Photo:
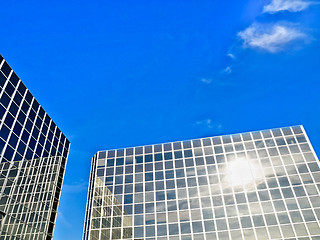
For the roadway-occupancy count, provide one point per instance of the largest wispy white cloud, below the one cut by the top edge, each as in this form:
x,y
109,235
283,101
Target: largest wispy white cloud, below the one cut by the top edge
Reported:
x,y
272,38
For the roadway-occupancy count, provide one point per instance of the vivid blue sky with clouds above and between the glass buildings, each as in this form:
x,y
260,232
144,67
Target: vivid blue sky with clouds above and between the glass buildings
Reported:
x,y
115,74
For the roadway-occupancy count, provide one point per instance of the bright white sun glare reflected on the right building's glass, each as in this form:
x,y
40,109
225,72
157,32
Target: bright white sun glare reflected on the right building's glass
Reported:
x,y
242,172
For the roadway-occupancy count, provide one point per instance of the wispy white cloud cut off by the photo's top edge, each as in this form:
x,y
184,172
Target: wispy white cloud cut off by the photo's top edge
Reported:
x,y
286,5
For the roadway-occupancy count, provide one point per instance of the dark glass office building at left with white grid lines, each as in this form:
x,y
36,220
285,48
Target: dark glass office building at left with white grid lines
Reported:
x,y
33,154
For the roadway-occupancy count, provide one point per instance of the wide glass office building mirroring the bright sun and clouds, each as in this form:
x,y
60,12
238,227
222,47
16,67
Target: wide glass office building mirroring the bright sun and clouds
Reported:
x,y
256,185
